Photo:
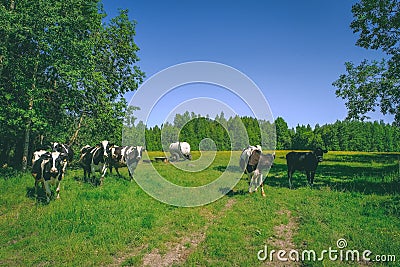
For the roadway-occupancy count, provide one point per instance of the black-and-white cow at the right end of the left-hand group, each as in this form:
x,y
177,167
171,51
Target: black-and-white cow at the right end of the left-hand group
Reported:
x,y
125,155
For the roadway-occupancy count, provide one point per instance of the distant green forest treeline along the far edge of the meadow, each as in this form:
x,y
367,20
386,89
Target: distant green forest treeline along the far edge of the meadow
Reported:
x,y
237,132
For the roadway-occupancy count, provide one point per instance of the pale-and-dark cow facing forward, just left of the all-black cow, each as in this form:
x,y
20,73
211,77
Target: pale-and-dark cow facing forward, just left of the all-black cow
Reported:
x,y
252,162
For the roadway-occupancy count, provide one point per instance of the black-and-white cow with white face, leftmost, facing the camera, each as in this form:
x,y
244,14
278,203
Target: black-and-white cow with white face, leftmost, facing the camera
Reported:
x,y
47,169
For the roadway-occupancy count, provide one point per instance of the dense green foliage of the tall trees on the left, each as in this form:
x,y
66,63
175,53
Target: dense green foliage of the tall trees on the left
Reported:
x,y
63,69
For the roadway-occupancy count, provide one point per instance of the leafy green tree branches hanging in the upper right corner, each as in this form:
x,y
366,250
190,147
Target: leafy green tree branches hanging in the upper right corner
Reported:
x,y
376,83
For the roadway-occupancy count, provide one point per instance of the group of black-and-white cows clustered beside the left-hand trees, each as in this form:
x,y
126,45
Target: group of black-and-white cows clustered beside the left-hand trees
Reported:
x,y
48,167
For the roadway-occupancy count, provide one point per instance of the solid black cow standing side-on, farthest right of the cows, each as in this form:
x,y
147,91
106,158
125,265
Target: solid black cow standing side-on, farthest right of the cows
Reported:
x,y
304,161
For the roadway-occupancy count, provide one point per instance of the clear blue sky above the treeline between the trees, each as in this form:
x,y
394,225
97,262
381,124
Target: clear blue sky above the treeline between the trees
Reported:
x,y
292,50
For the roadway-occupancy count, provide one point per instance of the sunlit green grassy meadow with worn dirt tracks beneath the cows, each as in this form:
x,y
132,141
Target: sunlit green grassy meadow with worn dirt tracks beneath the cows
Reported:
x,y
356,197
